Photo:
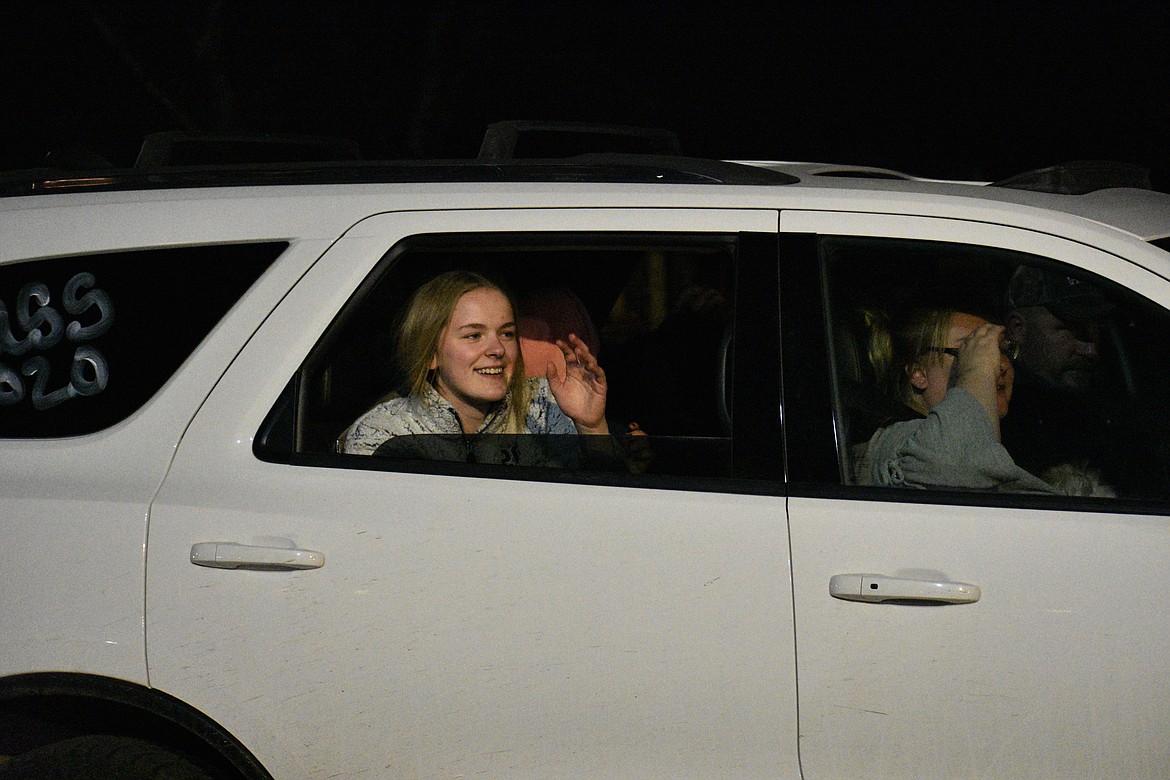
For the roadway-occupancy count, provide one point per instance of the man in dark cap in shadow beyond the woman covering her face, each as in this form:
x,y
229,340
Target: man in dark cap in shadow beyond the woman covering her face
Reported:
x,y
1061,412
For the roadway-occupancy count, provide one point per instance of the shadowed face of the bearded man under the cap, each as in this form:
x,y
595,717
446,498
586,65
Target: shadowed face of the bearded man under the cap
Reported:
x,y
1062,353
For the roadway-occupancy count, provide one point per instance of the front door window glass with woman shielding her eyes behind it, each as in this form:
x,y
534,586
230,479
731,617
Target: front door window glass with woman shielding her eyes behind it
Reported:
x,y
974,369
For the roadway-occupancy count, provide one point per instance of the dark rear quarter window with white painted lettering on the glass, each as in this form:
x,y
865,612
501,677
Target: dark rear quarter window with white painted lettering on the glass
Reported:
x,y
87,341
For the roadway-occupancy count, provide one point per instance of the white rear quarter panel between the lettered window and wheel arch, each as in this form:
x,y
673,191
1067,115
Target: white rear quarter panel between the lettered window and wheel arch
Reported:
x,y
74,560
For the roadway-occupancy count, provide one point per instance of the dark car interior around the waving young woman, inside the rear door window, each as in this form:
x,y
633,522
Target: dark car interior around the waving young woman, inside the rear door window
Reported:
x,y
659,308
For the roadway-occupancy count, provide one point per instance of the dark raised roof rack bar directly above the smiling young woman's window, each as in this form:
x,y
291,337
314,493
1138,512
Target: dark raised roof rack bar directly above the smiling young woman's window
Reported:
x,y
528,140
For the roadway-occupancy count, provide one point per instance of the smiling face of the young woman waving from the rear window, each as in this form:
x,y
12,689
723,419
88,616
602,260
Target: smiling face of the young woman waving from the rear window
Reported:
x,y
477,354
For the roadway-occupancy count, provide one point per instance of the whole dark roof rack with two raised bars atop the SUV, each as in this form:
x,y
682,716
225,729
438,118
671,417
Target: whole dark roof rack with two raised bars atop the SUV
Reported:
x,y
182,160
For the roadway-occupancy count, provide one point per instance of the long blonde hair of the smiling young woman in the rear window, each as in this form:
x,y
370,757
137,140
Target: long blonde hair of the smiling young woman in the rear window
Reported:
x,y
426,320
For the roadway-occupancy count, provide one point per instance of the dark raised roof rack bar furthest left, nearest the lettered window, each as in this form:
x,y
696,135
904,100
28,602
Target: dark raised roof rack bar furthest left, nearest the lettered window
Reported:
x,y
174,149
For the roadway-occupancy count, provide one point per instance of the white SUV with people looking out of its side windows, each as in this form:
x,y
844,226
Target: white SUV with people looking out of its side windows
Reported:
x,y
198,583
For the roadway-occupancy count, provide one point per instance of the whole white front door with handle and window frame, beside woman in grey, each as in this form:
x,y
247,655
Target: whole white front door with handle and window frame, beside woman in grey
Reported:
x,y
1023,636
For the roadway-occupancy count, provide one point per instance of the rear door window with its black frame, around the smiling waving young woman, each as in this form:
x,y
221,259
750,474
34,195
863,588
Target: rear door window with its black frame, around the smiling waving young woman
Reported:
x,y
659,313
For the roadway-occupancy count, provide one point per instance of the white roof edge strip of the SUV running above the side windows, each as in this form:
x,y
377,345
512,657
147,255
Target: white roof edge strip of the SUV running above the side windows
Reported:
x,y
47,225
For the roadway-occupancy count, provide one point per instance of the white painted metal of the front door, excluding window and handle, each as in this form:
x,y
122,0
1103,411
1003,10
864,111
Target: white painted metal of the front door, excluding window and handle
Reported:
x,y
987,689
